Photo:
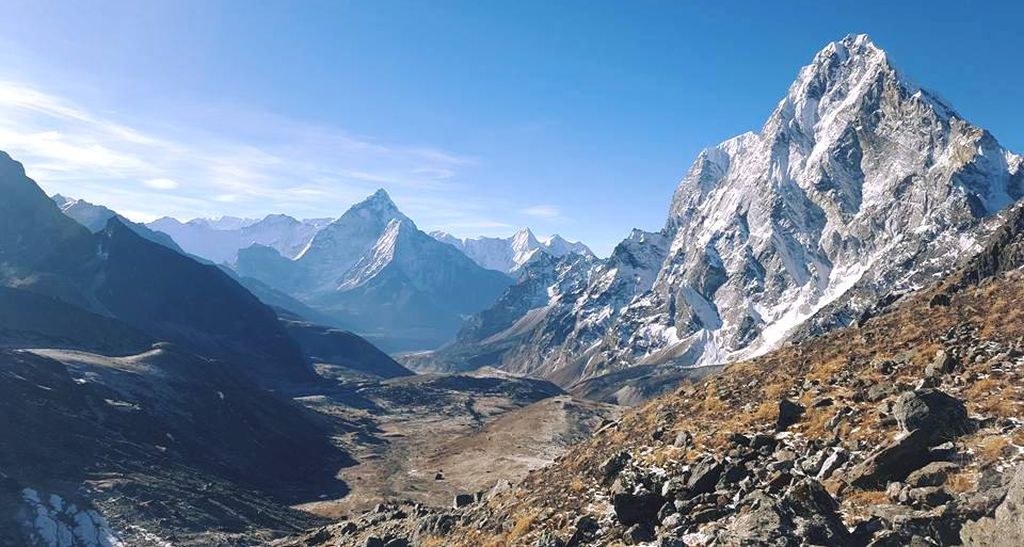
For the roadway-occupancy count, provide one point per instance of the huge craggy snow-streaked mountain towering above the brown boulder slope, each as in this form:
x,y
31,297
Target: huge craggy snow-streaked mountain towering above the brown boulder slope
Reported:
x,y
860,184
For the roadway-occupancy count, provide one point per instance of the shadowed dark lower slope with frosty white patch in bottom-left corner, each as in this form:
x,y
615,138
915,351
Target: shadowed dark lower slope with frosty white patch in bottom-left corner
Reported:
x,y
153,448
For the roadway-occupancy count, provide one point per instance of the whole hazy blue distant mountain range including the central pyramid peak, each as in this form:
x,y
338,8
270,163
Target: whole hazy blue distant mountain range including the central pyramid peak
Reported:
x,y
372,271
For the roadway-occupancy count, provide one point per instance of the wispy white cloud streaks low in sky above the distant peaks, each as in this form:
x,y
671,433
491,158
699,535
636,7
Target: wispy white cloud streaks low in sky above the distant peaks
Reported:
x,y
295,169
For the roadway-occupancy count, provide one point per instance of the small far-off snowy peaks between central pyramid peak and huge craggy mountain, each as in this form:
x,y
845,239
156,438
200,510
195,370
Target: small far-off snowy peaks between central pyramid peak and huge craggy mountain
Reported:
x,y
510,255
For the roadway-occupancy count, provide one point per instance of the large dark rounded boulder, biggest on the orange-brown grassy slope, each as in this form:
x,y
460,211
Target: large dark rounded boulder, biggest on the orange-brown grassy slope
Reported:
x,y
938,415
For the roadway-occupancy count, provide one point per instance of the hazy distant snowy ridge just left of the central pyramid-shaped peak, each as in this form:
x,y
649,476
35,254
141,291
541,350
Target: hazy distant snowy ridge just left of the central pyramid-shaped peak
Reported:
x,y
220,240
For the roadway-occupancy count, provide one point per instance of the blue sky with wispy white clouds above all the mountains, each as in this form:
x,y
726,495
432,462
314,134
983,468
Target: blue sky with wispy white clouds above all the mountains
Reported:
x,y
480,117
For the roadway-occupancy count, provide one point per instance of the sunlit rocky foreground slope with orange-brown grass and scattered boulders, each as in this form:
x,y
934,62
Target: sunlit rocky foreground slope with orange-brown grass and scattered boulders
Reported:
x,y
905,429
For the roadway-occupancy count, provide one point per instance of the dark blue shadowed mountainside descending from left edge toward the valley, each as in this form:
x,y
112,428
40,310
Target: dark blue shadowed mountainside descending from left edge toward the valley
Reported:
x,y
117,274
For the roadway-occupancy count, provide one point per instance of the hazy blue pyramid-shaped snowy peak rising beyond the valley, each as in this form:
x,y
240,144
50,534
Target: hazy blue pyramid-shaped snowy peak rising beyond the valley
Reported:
x,y
373,272
